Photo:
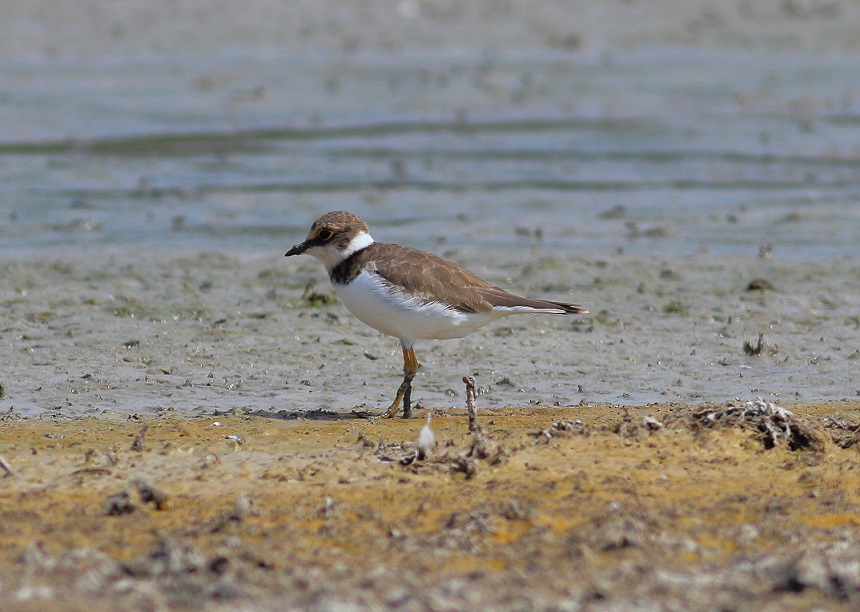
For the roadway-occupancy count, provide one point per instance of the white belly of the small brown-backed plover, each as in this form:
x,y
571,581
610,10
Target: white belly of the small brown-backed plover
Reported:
x,y
396,314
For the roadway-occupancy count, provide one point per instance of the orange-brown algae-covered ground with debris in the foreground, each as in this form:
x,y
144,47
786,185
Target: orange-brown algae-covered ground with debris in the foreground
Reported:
x,y
591,507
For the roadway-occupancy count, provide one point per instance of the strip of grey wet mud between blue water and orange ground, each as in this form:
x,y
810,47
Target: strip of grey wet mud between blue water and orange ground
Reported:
x,y
118,334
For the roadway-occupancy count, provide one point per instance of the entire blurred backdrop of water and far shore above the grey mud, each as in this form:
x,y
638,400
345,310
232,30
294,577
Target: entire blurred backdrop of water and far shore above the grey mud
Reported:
x,y
670,126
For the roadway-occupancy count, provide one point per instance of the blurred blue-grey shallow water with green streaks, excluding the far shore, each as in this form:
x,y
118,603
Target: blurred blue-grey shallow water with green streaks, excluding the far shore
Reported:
x,y
721,150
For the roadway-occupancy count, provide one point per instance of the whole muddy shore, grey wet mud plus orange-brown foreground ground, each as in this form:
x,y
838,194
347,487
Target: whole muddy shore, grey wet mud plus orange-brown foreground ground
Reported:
x,y
181,431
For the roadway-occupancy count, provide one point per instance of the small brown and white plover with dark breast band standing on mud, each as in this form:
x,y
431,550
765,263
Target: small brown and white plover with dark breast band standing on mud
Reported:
x,y
407,293
